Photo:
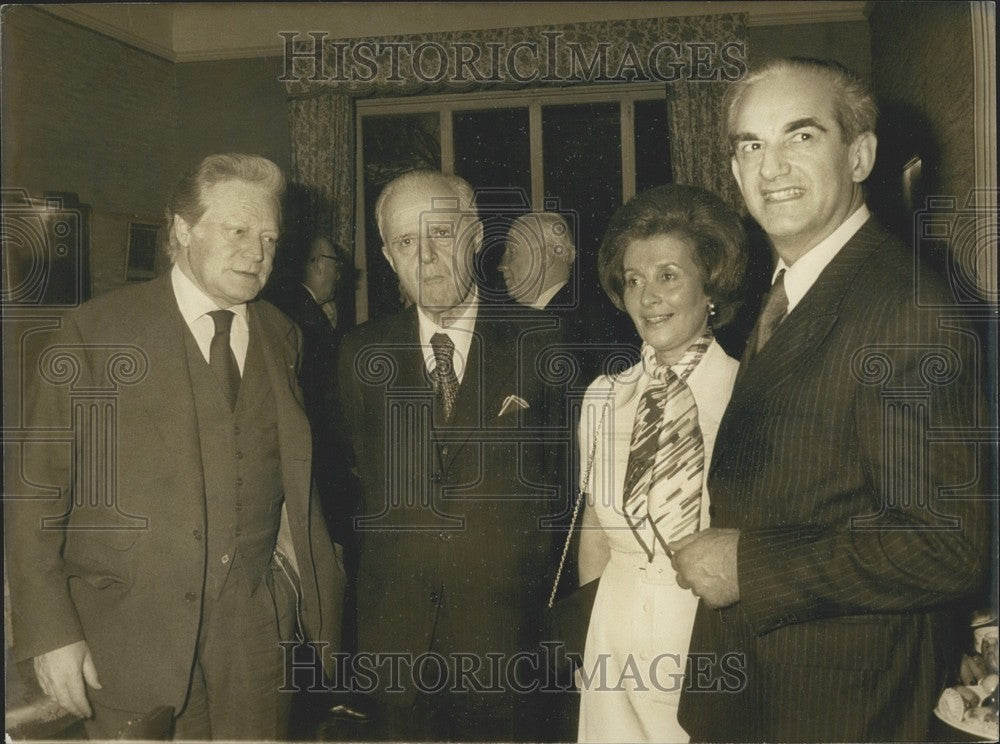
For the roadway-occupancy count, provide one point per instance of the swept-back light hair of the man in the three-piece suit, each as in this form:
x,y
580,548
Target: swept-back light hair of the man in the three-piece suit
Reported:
x,y
187,200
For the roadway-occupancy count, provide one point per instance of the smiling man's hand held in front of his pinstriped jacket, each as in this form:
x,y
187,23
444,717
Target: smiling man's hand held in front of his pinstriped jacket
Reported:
x,y
706,564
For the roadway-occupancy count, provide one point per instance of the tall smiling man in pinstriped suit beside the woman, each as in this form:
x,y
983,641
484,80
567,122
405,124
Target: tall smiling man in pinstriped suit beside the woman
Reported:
x,y
847,507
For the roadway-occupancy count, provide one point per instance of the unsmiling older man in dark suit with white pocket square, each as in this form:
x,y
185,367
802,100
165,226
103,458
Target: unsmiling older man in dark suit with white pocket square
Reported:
x,y
446,412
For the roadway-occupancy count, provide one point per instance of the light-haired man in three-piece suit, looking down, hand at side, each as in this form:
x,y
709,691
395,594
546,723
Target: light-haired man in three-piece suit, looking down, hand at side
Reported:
x,y
181,543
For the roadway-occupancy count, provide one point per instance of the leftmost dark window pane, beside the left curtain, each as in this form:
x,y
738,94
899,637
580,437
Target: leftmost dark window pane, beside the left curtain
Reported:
x,y
390,146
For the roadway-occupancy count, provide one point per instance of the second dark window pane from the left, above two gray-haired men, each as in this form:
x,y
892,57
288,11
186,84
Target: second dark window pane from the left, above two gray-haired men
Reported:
x,y
493,153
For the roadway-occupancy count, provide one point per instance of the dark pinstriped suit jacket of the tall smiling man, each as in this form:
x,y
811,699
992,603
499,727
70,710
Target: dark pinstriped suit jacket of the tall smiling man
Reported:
x,y
845,459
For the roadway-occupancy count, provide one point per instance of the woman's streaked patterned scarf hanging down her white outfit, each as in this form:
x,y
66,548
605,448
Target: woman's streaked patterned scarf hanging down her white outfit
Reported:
x,y
663,479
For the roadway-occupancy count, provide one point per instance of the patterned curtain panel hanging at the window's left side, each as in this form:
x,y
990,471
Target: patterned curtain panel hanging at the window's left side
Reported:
x,y
322,132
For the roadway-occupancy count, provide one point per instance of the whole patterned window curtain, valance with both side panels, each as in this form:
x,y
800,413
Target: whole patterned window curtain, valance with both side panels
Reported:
x,y
687,53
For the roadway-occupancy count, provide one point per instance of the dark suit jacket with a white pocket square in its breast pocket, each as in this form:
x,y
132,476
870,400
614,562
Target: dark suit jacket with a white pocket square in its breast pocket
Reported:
x,y
456,553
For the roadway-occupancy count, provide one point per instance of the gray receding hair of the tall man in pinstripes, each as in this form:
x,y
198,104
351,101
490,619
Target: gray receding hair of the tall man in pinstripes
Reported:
x,y
853,102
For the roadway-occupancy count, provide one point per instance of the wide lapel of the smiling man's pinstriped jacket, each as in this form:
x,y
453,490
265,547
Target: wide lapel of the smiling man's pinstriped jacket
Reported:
x,y
796,339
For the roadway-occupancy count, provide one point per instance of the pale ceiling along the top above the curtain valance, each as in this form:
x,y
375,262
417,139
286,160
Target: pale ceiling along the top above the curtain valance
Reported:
x,y
188,32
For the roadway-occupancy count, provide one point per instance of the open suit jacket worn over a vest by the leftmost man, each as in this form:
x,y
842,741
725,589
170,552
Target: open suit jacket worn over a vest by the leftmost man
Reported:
x,y
127,573
